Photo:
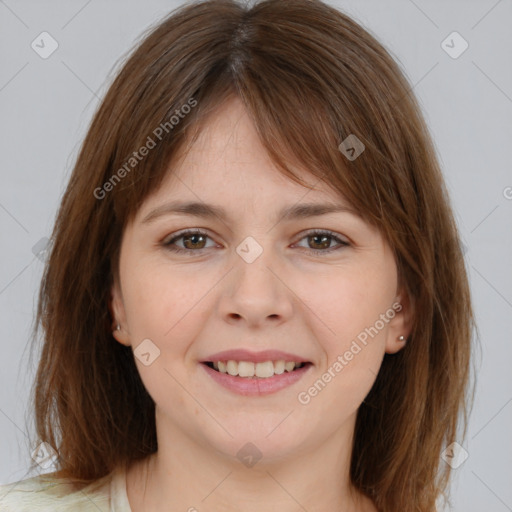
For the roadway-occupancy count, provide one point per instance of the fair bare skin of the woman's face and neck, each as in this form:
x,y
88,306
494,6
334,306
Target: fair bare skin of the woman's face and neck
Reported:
x,y
192,305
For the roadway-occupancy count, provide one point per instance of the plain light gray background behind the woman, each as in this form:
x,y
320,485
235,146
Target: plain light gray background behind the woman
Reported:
x,y
46,105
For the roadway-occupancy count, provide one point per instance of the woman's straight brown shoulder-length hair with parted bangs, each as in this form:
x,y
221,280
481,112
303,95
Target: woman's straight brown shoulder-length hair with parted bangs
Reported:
x,y
309,76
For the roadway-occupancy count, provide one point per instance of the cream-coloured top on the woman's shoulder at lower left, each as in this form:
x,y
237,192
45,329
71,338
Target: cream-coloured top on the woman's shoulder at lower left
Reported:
x,y
44,493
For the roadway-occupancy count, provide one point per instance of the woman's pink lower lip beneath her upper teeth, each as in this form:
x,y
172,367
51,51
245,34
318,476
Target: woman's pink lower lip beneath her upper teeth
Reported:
x,y
247,386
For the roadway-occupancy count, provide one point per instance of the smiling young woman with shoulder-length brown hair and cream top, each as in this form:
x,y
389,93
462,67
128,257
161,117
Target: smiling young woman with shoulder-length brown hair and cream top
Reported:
x,y
255,296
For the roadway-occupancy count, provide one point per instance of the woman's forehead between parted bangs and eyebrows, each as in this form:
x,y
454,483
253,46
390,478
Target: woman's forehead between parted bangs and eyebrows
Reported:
x,y
227,162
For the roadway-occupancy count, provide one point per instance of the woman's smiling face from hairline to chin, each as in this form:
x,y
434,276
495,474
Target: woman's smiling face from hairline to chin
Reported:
x,y
316,289
